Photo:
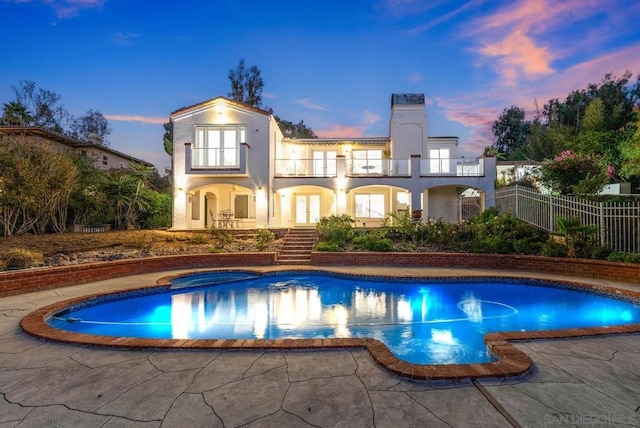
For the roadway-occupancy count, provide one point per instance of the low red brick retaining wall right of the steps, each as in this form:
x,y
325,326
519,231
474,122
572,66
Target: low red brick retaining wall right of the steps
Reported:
x,y
626,272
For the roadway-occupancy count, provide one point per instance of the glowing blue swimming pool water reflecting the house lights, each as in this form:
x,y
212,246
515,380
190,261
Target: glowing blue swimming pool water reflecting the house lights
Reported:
x,y
434,321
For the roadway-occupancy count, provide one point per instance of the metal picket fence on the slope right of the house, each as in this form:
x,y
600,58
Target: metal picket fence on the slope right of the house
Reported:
x,y
618,223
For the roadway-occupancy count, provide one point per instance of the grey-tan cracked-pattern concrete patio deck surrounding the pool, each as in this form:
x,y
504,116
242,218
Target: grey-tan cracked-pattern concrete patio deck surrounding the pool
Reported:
x,y
574,382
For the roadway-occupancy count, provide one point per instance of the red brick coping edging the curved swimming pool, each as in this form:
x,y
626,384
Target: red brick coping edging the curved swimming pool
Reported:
x,y
510,360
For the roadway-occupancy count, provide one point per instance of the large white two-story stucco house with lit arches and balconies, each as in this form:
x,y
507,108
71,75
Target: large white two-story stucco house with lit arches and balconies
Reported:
x,y
233,167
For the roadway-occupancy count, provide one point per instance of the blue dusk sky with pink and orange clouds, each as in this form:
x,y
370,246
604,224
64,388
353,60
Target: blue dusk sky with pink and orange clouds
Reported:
x,y
332,63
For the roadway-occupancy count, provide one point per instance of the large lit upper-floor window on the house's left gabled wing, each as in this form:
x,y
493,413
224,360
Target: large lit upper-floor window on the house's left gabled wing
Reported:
x,y
218,146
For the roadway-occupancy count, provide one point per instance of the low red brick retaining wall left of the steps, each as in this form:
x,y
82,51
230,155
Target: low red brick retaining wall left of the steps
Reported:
x,y
21,281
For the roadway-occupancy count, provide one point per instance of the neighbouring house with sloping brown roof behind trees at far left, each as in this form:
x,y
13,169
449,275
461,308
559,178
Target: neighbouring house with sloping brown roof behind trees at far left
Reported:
x,y
103,157
